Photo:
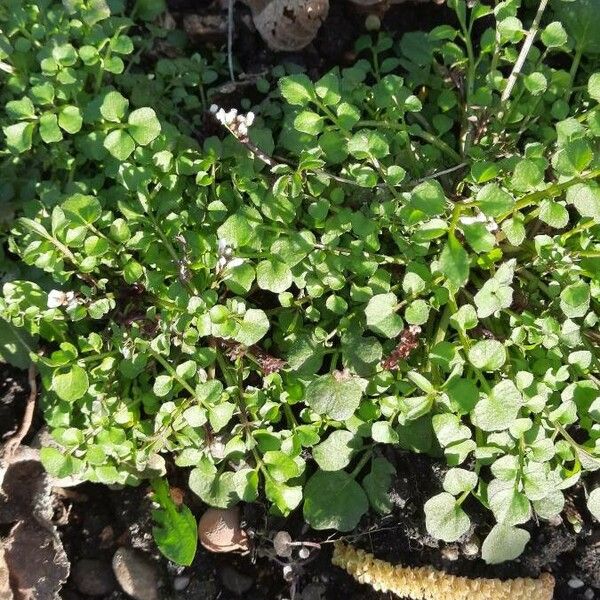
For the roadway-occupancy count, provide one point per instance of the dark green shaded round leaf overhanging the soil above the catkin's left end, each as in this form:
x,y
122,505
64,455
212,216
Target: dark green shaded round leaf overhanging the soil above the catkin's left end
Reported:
x,y
333,500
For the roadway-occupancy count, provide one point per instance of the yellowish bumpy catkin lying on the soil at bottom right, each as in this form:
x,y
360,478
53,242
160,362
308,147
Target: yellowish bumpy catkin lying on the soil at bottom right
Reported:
x,y
426,583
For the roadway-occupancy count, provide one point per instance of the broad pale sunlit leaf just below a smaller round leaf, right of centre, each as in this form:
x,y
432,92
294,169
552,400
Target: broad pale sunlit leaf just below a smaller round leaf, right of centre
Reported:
x,y
498,410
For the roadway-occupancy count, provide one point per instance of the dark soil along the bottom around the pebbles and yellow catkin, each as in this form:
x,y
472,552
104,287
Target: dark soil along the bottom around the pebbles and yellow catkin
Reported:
x,y
99,520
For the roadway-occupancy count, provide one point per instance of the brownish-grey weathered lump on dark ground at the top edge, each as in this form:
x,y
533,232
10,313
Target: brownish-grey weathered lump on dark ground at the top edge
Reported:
x,y
288,25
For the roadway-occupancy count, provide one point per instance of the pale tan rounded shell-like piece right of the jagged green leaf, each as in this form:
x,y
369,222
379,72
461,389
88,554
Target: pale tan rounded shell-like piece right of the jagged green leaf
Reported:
x,y
219,530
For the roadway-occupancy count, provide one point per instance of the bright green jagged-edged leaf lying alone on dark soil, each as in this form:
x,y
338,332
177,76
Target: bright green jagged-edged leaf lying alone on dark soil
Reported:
x,y
175,532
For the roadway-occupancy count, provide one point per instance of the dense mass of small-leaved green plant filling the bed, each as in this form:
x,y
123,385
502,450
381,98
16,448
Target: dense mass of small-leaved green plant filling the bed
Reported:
x,y
374,259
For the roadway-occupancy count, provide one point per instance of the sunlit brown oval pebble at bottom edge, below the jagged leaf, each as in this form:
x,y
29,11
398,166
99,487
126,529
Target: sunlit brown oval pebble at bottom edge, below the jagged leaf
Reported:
x,y
136,575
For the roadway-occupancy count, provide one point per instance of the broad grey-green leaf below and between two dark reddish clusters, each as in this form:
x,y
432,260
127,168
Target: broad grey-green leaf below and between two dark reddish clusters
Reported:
x,y
336,395
